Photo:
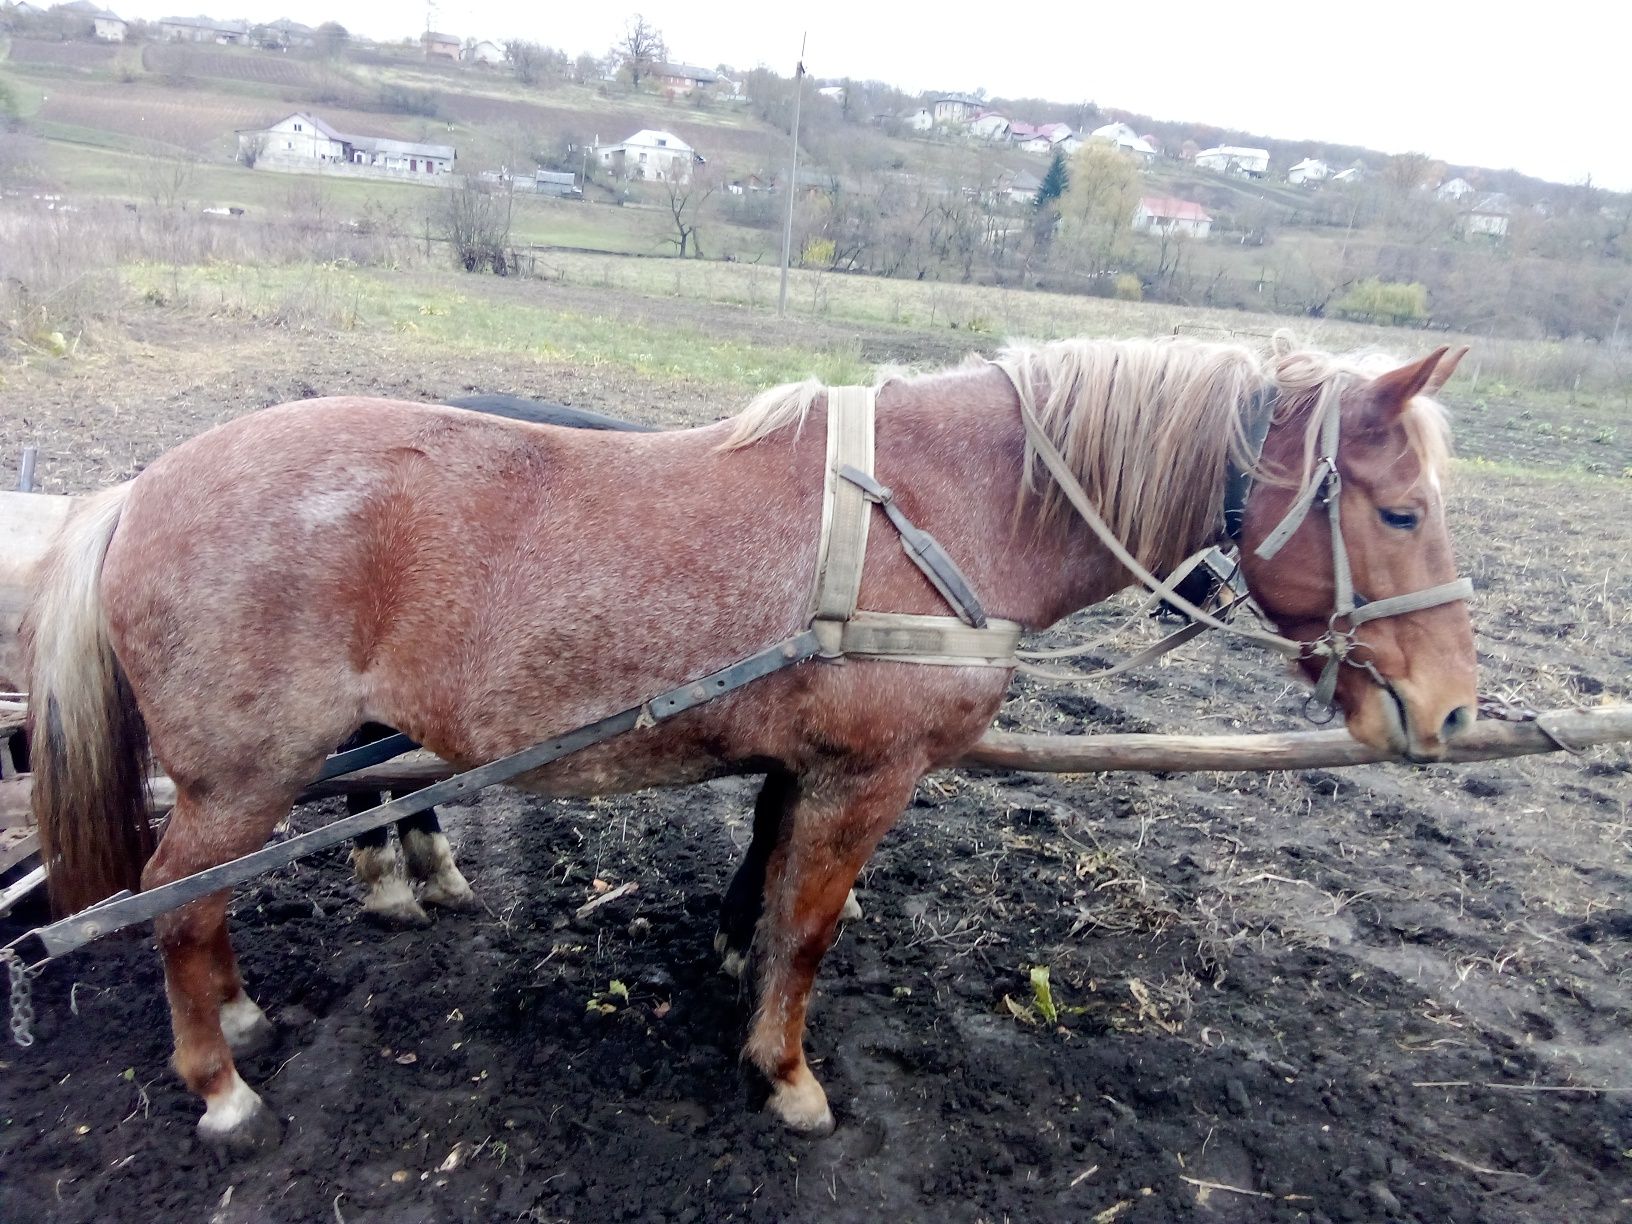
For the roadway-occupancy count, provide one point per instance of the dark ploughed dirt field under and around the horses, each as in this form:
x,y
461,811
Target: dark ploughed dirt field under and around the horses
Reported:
x,y
1334,996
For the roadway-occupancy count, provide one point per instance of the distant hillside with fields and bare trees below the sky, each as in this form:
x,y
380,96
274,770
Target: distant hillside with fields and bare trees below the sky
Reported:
x,y
876,197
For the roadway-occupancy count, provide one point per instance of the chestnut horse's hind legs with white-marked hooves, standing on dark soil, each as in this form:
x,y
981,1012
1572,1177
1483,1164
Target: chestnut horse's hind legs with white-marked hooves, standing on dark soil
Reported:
x,y
210,1009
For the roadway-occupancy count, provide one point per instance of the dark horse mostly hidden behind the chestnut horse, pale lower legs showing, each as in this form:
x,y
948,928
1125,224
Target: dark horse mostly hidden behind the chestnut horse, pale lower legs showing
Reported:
x,y
422,851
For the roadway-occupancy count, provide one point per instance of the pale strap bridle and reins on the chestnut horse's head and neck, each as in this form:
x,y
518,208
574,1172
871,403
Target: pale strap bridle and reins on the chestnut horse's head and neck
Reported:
x,y
1339,645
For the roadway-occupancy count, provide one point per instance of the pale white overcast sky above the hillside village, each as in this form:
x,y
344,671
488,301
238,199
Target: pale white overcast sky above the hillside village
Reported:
x,y
1541,89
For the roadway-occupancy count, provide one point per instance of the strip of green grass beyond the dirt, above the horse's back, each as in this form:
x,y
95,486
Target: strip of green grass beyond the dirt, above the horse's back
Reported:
x,y
453,314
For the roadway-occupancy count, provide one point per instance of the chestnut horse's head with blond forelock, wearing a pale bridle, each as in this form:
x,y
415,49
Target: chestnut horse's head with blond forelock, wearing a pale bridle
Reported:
x,y
1372,451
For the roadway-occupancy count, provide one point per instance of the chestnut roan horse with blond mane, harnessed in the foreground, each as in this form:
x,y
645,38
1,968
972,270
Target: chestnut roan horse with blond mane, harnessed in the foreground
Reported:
x,y
268,587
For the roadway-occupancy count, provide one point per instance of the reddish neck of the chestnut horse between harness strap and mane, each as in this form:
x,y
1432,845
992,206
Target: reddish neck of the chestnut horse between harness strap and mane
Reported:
x,y
954,448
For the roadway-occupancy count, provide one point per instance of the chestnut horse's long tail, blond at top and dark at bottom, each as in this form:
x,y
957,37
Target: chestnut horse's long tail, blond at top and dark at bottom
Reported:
x,y
87,738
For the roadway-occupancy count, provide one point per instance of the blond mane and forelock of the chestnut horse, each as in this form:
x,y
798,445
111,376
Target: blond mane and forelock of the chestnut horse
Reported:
x,y
1150,427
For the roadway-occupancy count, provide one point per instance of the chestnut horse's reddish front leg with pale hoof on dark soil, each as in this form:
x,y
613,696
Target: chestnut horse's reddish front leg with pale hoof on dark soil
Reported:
x,y
835,827
